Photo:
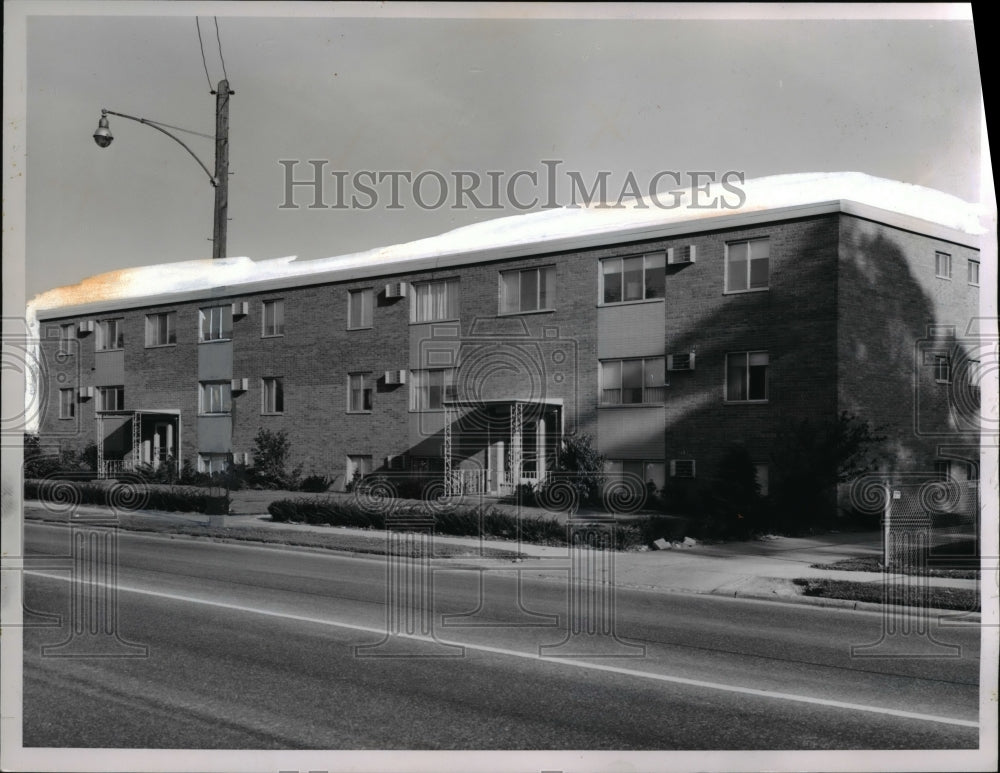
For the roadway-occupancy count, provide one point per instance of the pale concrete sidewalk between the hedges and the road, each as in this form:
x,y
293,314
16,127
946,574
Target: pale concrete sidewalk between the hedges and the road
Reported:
x,y
762,568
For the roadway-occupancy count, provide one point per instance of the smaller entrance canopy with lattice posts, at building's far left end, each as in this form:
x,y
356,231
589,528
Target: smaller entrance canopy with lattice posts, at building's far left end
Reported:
x,y
128,439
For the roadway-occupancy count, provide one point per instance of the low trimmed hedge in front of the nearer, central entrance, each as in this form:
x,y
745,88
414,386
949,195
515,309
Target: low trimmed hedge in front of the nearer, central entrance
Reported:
x,y
459,521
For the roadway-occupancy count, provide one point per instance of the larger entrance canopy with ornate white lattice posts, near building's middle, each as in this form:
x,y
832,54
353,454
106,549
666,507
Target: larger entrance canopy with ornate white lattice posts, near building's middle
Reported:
x,y
499,444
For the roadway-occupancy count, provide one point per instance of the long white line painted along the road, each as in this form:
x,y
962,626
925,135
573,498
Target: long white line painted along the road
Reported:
x,y
534,656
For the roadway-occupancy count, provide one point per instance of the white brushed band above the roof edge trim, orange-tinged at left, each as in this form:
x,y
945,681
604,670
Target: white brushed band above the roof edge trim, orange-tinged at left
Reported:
x,y
535,228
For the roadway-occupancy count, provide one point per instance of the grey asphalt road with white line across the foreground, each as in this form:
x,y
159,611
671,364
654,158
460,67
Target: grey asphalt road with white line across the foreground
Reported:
x,y
250,647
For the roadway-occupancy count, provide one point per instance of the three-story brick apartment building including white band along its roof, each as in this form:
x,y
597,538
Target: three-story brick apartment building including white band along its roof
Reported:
x,y
667,336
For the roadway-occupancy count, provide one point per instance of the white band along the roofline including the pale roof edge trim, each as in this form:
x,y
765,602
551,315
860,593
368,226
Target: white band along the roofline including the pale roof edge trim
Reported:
x,y
770,199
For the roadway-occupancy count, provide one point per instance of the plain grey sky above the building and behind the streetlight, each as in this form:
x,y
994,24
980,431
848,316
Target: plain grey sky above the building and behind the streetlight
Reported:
x,y
896,98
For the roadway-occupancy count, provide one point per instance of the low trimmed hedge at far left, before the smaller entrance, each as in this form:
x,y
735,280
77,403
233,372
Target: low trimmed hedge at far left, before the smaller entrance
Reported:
x,y
64,494
